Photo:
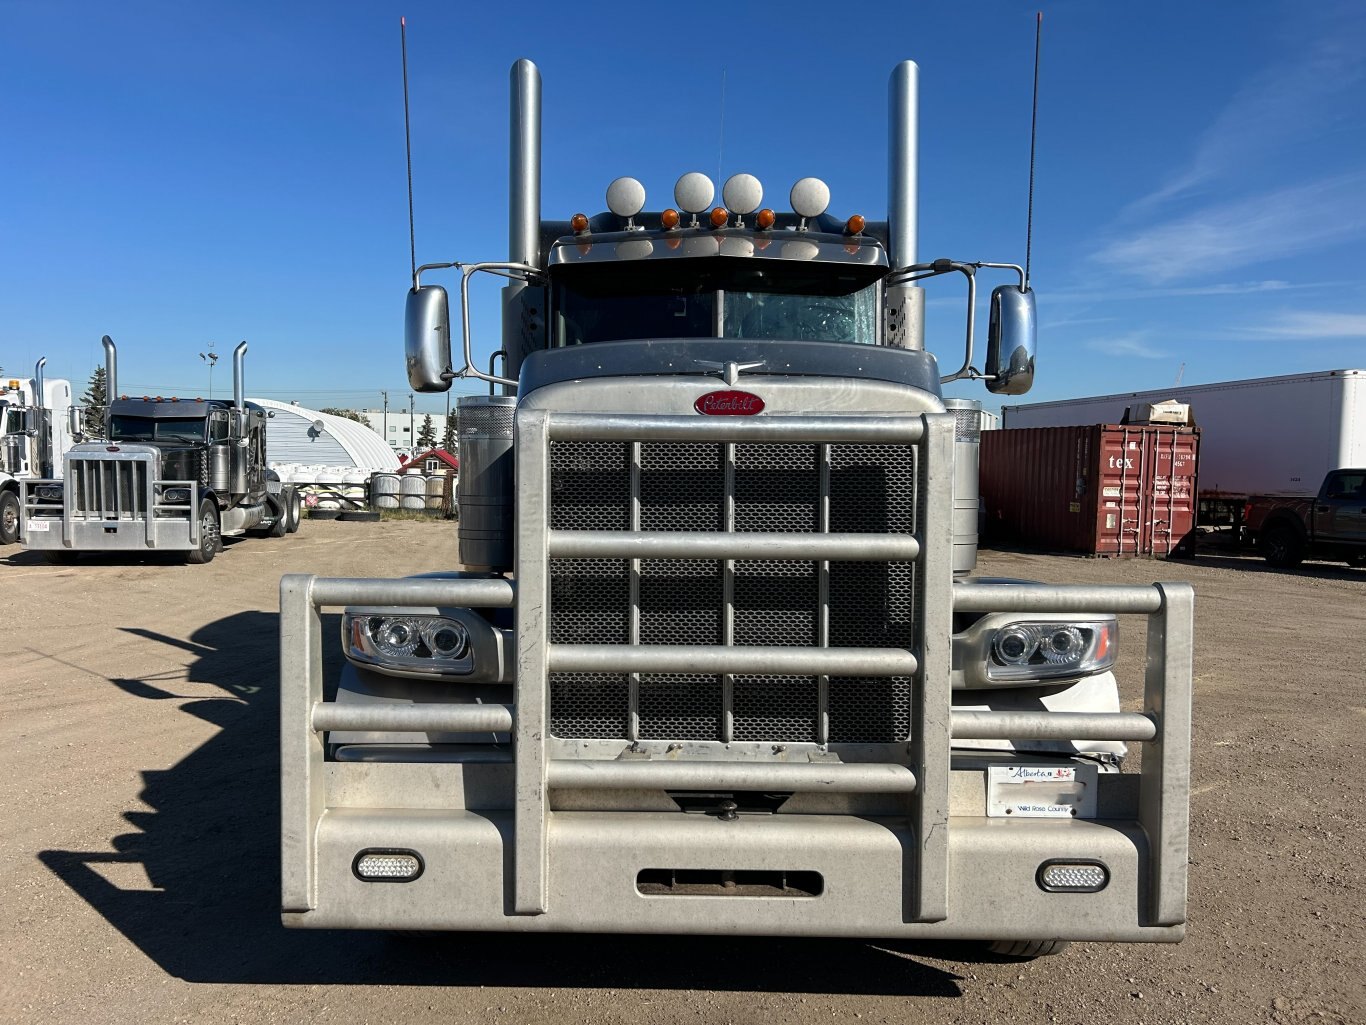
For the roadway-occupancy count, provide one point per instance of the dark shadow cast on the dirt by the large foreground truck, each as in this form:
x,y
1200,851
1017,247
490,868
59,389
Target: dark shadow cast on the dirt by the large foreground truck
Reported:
x,y
208,905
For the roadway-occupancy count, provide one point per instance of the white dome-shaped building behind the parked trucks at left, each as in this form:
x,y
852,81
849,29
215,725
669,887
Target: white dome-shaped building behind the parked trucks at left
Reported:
x,y
304,443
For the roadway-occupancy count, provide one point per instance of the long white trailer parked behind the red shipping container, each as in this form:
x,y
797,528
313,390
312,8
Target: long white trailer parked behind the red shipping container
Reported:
x,y
1262,437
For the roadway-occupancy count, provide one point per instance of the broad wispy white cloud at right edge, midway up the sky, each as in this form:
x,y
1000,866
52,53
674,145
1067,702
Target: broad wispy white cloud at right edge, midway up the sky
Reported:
x,y
1279,225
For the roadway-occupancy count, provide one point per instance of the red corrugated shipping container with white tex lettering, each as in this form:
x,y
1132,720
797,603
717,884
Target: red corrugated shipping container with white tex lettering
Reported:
x,y
1102,490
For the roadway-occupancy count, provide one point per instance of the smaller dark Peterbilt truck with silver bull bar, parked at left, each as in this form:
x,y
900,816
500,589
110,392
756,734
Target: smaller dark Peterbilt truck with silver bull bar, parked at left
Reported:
x,y
173,475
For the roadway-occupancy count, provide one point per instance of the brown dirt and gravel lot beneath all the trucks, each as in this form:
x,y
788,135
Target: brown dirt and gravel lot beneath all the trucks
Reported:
x,y
140,877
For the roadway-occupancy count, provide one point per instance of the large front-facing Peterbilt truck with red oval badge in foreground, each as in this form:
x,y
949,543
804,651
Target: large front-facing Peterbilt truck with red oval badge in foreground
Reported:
x,y
715,659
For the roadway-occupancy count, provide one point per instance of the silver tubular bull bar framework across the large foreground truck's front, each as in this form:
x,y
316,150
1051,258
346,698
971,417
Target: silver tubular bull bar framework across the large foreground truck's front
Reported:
x,y
1163,725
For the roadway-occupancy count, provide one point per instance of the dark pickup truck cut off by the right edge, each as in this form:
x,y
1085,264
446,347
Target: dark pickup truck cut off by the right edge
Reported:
x,y
1333,525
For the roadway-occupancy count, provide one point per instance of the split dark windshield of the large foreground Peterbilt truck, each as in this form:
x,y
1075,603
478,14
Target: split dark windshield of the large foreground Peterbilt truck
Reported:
x,y
591,316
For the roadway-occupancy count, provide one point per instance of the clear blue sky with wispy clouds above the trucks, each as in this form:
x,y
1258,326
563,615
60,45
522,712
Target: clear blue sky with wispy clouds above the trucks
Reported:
x,y
178,176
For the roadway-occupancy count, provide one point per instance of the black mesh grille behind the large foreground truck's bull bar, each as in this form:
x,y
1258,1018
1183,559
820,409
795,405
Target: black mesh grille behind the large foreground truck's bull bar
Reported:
x,y
738,489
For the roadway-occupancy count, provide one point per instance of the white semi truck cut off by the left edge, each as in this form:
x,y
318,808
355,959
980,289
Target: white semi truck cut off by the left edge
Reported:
x,y
39,424
